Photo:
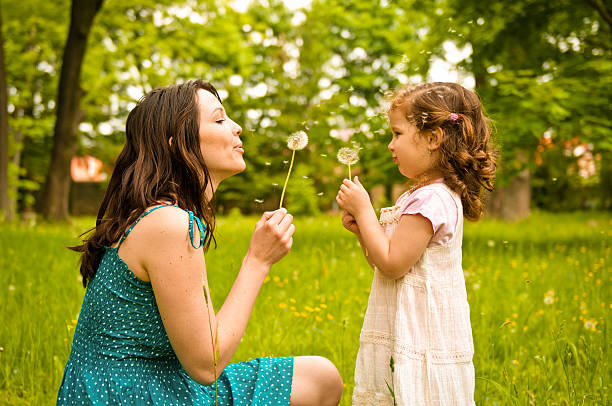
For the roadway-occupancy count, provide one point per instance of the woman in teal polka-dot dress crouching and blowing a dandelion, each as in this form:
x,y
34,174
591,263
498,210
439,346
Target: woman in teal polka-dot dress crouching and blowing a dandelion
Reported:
x,y
147,329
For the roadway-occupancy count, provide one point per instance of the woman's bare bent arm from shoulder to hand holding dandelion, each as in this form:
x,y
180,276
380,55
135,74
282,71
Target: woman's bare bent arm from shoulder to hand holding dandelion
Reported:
x,y
178,276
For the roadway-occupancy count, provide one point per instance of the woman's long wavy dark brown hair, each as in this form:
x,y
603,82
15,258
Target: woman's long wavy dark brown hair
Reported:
x,y
160,162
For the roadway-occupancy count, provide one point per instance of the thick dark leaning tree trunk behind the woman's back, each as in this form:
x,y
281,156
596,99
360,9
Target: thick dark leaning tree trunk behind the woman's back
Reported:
x,y
54,200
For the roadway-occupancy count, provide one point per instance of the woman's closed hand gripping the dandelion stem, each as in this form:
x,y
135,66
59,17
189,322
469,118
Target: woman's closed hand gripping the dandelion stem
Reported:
x,y
272,238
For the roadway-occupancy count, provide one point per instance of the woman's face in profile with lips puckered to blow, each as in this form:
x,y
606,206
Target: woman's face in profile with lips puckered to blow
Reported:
x,y
219,138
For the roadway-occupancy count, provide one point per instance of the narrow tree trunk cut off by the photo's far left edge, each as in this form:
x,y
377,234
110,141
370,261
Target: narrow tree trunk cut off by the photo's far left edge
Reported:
x,y
7,206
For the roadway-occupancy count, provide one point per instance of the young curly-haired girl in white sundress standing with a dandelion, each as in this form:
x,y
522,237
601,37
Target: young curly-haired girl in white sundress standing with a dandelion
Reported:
x,y
416,338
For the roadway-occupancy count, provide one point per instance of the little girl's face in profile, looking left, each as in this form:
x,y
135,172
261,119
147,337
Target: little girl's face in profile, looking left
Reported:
x,y
409,148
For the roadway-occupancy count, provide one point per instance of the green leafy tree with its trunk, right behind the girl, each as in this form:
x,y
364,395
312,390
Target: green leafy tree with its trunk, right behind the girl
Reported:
x,y
538,67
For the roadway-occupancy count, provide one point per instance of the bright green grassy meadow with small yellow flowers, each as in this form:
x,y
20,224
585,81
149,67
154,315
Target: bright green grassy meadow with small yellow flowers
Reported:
x,y
539,292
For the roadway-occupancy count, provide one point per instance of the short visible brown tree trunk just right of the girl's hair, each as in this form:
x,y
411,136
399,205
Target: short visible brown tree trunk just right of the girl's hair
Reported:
x,y
512,202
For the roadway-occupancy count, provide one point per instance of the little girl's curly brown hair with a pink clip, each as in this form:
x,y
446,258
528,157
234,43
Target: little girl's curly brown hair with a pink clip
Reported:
x,y
466,156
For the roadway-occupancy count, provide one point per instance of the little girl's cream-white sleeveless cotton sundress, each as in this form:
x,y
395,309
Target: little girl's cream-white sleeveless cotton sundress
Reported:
x,y
423,320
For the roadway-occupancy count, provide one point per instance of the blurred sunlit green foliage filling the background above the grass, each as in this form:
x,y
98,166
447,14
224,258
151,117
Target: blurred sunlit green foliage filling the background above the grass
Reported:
x,y
324,69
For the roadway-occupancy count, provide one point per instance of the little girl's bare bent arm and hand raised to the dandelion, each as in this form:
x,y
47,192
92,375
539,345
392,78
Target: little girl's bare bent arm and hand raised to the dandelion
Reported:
x,y
393,257
